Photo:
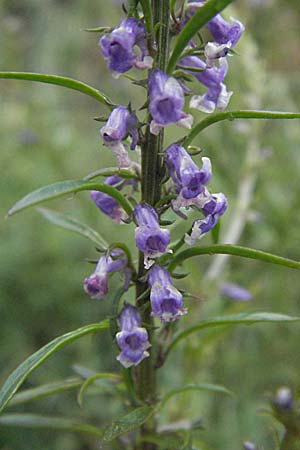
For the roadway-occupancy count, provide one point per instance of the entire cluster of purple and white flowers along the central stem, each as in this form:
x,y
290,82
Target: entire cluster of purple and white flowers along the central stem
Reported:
x,y
125,47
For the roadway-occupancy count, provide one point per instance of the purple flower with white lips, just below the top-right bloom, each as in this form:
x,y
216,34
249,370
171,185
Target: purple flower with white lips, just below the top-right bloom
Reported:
x,y
217,95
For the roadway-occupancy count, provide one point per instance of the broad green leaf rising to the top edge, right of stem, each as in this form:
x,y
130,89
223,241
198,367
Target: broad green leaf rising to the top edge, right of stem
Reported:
x,y
199,19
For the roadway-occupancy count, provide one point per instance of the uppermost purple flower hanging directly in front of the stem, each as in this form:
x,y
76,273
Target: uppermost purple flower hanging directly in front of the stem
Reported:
x,y
166,102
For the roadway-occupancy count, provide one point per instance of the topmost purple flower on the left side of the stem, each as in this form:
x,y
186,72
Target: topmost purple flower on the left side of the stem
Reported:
x,y
118,47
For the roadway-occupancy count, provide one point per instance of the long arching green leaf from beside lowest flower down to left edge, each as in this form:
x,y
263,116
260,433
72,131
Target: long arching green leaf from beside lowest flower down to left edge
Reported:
x,y
15,380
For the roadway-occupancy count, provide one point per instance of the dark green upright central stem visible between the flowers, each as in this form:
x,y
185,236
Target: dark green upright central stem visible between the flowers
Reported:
x,y
151,191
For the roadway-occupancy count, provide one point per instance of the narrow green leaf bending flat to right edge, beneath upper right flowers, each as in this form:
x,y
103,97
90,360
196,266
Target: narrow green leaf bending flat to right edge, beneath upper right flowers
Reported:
x,y
232,115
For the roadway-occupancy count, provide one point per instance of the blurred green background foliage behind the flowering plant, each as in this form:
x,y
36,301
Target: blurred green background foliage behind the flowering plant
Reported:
x,y
48,134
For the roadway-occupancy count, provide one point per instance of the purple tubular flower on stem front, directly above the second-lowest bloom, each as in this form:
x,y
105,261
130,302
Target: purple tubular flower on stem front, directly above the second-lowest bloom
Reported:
x,y
150,238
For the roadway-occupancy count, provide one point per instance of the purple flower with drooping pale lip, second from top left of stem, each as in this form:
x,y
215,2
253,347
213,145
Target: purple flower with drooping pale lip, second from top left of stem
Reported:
x,y
120,123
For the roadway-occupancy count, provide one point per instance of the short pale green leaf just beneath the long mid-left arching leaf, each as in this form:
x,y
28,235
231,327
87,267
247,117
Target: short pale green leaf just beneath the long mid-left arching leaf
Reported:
x,y
69,223
